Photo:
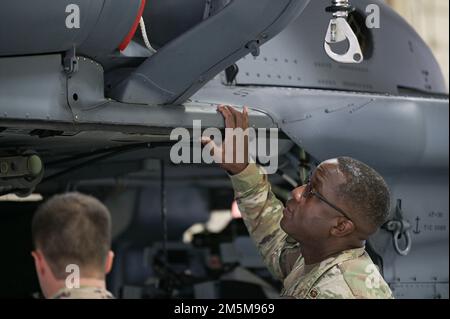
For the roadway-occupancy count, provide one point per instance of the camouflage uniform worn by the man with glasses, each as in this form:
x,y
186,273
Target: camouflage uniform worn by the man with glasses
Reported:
x,y
349,274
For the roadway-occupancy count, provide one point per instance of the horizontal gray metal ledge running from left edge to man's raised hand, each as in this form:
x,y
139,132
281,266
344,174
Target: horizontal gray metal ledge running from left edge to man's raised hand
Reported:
x,y
50,99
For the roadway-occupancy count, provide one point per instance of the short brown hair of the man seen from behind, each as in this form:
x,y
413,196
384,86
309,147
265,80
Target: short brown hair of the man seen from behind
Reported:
x,y
73,228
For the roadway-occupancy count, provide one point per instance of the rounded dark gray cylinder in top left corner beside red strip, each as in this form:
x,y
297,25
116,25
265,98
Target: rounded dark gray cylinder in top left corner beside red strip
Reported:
x,y
39,27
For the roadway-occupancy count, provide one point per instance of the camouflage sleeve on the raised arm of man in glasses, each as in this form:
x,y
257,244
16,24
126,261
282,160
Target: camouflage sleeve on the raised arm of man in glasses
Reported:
x,y
262,213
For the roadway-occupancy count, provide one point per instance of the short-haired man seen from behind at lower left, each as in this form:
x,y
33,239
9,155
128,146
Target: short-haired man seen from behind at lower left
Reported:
x,y
72,239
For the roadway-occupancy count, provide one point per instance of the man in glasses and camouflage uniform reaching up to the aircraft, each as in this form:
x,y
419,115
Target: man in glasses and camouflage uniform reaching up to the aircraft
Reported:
x,y
316,244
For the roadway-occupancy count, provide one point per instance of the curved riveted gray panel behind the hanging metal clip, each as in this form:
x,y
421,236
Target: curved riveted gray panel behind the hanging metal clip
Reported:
x,y
398,58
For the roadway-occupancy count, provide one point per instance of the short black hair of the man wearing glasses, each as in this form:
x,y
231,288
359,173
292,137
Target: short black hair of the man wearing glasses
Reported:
x,y
366,191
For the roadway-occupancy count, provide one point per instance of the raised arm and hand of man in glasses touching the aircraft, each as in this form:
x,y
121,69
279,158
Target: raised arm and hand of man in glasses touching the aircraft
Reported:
x,y
260,209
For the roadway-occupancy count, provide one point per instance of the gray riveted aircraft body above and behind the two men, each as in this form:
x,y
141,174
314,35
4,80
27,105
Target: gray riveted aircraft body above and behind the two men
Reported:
x,y
390,111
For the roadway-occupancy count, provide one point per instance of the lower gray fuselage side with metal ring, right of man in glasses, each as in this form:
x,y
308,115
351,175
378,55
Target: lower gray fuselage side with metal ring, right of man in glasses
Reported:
x,y
424,272
